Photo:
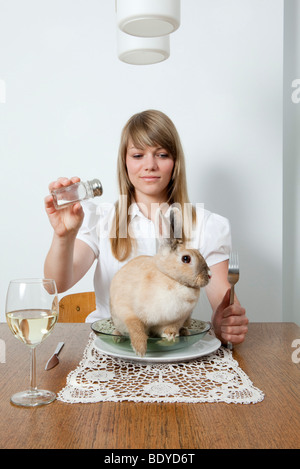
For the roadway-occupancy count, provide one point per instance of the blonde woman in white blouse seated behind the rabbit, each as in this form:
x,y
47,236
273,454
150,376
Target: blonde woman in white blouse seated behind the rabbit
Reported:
x,y
151,174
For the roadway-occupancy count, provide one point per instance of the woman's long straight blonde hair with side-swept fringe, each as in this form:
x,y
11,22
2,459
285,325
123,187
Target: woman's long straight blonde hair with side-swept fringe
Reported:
x,y
147,128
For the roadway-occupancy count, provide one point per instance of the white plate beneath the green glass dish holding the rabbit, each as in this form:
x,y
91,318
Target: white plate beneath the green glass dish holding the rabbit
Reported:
x,y
205,346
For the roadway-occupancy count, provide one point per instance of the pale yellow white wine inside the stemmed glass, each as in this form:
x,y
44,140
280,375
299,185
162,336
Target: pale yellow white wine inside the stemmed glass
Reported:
x,y
32,326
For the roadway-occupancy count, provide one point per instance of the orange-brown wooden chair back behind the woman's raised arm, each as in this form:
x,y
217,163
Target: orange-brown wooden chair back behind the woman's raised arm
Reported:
x,y
76,307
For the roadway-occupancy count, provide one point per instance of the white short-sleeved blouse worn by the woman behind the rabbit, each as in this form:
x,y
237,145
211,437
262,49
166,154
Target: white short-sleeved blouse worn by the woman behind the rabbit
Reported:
x,y
211,236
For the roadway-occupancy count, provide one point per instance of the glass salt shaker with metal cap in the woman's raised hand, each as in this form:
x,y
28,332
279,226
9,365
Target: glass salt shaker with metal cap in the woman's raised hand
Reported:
x,y
77,192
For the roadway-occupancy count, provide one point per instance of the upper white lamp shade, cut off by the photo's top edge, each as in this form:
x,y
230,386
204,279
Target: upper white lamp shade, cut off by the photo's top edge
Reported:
x,y
148,18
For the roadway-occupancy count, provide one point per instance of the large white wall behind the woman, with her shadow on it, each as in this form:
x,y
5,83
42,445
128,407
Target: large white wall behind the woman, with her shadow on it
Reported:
x,y
68,96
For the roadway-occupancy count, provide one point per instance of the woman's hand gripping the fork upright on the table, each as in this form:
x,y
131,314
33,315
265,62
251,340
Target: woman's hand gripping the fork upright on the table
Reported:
x,y
230,321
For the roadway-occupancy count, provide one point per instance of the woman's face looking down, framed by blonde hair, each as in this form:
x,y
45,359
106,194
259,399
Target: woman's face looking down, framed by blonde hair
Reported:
x,y
149,170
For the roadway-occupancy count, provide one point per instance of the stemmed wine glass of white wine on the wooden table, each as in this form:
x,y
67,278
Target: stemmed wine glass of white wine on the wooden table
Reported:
x,y
31,313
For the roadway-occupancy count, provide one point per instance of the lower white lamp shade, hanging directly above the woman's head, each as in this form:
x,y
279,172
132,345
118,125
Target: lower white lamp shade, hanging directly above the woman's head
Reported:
x,y
142,50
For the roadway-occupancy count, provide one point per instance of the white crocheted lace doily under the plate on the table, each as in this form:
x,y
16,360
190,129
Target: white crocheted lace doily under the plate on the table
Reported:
x,y
213,378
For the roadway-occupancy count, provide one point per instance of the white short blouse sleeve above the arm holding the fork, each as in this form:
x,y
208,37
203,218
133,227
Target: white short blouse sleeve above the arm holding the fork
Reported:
x,y
215,239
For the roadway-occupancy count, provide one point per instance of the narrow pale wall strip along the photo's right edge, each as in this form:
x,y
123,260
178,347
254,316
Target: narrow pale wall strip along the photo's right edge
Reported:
x,y
291,162
